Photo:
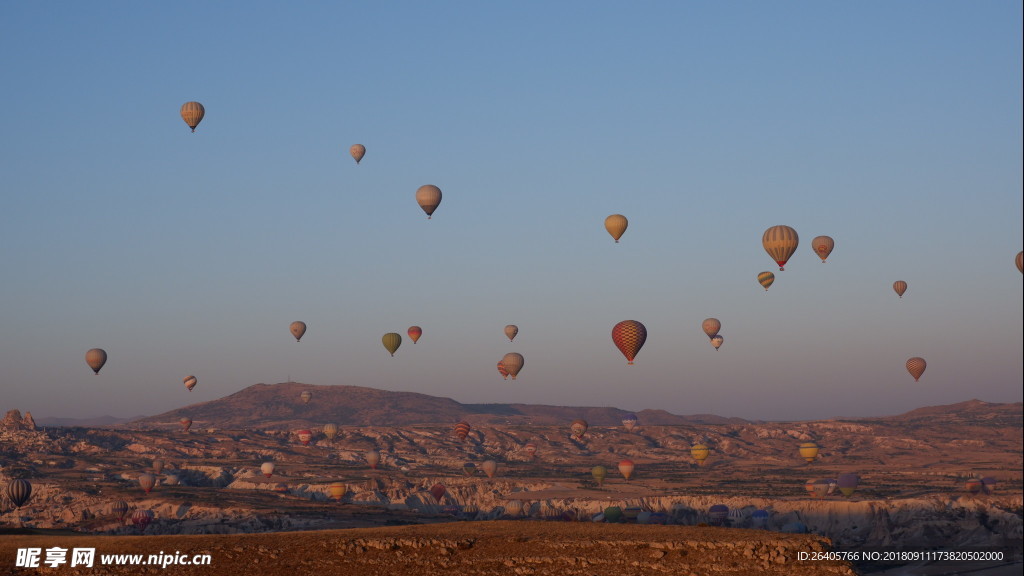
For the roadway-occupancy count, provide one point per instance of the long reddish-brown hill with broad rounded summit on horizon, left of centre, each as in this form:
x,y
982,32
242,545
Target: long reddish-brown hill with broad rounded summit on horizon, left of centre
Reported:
x,y
280,406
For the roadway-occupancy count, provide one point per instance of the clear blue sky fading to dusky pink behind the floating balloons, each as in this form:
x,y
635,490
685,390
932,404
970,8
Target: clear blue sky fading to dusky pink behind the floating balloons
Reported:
x,y
893,128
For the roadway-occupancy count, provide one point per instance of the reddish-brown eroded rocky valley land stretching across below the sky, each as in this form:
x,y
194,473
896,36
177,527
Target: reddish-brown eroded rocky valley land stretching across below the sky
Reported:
x,y
912,496
